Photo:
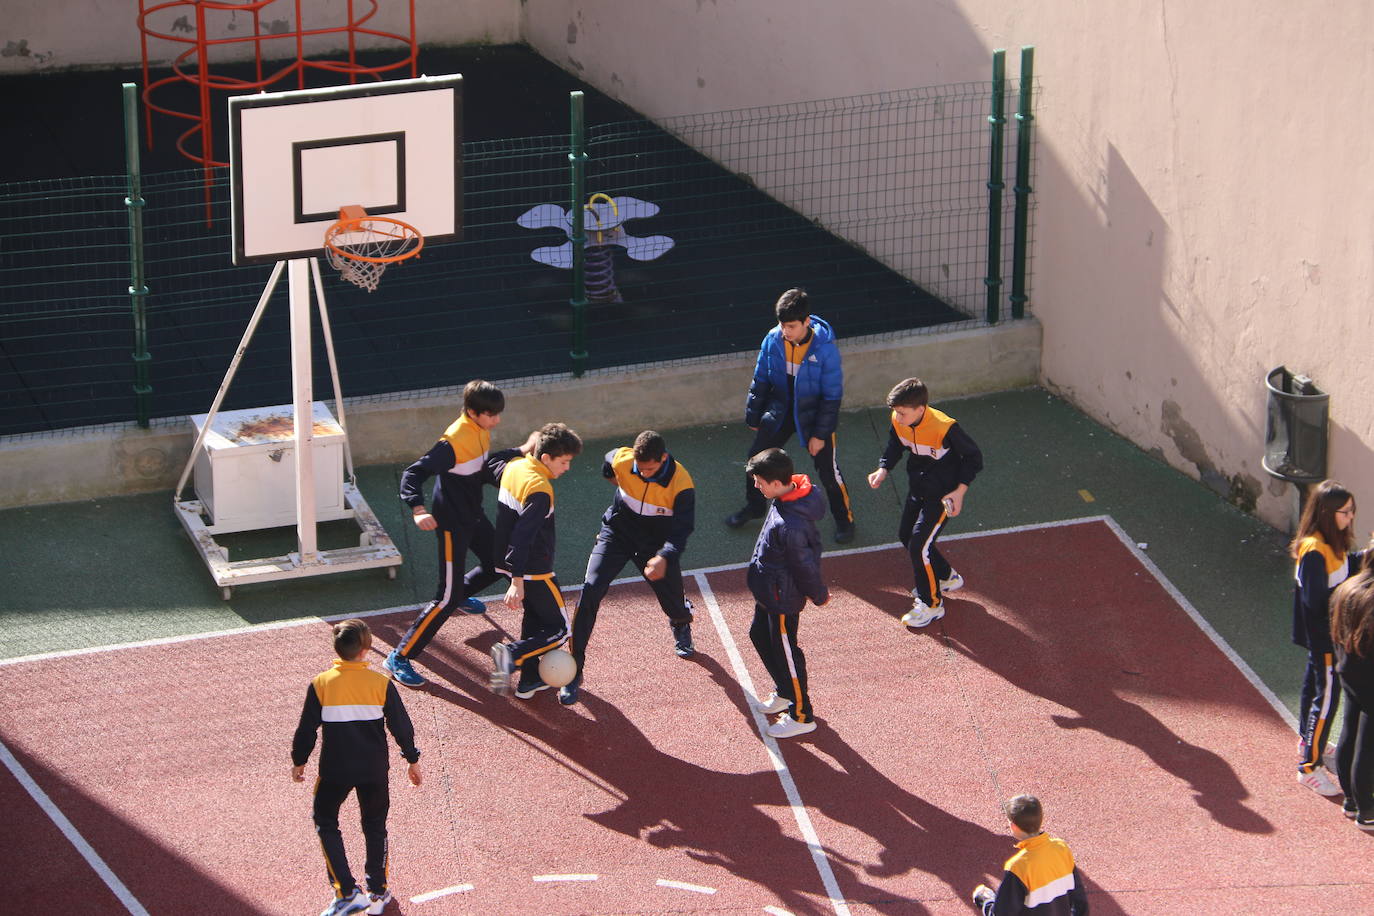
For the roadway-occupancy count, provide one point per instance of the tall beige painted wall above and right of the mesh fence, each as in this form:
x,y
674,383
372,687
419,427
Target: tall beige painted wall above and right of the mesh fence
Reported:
x,y
1203,209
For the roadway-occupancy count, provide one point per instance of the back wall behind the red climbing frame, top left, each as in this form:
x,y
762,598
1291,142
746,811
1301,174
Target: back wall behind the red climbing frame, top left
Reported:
x,y
97,34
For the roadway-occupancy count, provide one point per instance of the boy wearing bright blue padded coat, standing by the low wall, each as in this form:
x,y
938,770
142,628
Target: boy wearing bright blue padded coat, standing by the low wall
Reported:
x,y
798,388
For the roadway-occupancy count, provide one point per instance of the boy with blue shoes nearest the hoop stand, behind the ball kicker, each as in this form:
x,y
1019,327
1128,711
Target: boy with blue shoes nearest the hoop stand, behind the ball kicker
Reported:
x,y
461,463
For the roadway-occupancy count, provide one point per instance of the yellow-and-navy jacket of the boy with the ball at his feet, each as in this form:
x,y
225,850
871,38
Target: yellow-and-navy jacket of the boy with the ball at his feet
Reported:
x,y
526,520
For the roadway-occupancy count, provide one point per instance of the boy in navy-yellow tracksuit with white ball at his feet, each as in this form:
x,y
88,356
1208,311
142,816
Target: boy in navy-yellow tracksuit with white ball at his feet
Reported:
x,y
526,553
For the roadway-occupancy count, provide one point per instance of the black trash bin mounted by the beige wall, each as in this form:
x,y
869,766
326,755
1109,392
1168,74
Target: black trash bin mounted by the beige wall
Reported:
x,y
1296,433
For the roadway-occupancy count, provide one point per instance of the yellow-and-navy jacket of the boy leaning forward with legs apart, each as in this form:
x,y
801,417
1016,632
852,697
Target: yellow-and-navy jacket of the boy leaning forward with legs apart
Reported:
x,y
652,514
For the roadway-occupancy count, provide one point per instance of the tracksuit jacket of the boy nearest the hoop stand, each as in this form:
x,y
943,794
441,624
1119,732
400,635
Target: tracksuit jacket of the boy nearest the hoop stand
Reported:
x,y
460,462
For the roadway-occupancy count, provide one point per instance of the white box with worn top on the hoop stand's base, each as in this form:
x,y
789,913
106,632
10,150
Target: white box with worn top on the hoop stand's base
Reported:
x,y
245,474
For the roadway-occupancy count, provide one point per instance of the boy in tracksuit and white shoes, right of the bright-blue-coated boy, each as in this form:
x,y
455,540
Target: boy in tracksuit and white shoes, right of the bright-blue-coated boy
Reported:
x,y
941,466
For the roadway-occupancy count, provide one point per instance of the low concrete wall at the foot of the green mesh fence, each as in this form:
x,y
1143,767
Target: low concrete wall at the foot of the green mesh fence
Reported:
x,y
124,459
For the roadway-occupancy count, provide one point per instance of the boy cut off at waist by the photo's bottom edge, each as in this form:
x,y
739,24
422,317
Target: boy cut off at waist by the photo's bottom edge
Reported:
x,y
1042,880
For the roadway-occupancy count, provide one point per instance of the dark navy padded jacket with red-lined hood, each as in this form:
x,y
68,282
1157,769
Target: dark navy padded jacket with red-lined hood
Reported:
x,y
785,569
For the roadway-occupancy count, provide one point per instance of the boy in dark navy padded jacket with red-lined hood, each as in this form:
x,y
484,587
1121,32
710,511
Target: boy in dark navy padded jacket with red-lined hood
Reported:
x,y
782,575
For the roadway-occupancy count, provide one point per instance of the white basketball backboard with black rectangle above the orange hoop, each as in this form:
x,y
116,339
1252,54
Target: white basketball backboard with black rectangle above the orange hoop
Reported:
x,y
297,157
